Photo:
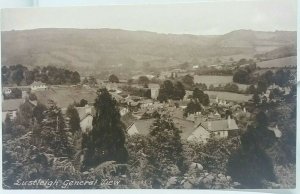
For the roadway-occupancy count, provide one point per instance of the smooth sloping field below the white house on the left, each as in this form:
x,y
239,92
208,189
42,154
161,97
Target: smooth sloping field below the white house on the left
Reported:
x,y
64,96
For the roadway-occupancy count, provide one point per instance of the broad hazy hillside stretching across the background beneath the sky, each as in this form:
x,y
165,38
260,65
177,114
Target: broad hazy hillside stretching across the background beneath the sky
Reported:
x,y
120,49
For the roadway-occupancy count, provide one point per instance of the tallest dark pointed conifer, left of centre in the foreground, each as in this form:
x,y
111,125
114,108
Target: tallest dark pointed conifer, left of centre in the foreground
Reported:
x,y
106,140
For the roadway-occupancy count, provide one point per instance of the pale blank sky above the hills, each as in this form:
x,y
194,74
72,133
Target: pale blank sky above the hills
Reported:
x,y
205,18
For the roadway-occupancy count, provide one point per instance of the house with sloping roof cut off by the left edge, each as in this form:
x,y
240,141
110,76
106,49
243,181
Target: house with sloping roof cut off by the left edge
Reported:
x,y
10,108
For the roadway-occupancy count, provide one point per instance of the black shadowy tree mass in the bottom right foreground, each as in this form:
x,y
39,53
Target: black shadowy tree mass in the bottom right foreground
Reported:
x,y
251,159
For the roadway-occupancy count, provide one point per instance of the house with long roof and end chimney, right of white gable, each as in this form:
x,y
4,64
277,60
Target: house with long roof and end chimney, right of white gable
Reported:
x,y
221,128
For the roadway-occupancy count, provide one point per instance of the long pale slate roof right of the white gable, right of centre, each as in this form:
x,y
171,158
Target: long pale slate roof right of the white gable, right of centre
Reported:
x,y
221,125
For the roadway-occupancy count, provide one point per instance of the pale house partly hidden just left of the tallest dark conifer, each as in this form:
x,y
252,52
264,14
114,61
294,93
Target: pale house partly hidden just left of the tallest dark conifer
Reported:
x,y
86,117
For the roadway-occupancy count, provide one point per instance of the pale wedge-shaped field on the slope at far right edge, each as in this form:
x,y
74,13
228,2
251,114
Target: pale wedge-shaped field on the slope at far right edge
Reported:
x,y
280,62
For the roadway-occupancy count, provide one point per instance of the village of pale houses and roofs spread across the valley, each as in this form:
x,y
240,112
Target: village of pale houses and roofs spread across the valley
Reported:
x,y
224,116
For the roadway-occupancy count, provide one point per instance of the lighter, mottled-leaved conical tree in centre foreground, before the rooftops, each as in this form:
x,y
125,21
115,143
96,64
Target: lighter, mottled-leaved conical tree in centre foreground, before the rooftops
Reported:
x,y
165,154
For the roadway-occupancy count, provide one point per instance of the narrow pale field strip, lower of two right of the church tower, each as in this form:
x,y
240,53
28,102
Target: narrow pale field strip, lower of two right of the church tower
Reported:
x,y
229,96
